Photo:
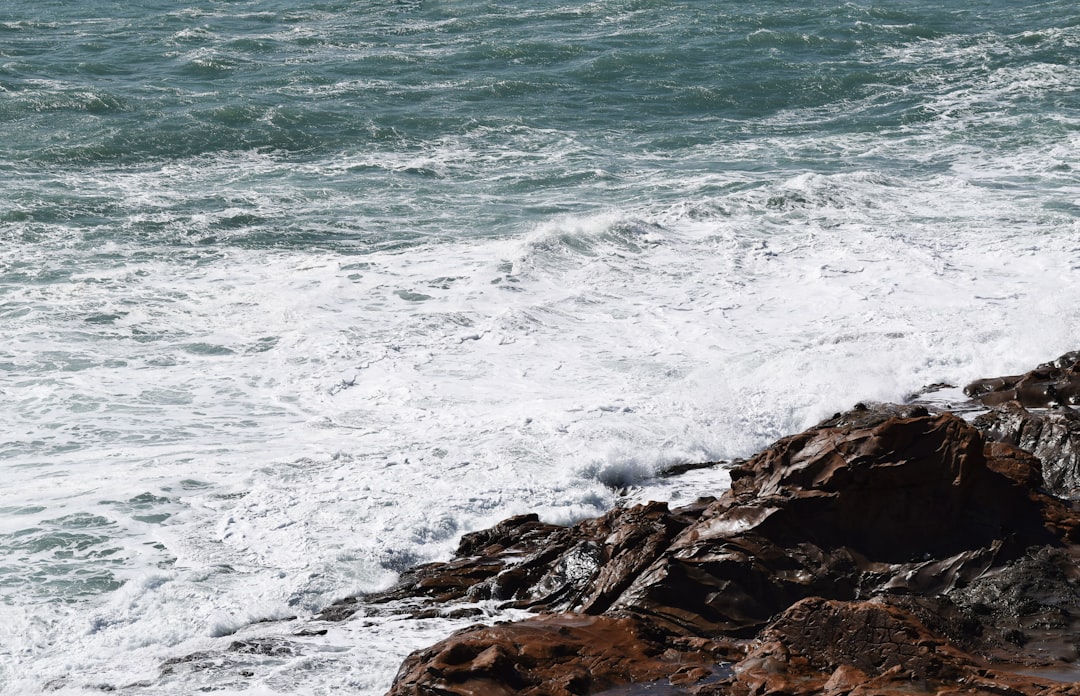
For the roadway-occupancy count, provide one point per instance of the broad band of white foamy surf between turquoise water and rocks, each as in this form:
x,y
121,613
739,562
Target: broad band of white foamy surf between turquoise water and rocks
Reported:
x,y
355,418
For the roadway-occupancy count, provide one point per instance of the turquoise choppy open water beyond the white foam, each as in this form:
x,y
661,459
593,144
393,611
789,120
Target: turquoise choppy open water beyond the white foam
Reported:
x,y
379,119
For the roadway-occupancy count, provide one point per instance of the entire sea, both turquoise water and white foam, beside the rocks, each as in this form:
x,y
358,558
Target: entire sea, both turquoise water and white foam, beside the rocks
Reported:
x,y
295,295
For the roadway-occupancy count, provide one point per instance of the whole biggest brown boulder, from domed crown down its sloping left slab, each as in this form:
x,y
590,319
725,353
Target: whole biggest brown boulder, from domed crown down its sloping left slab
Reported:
x,y
907,507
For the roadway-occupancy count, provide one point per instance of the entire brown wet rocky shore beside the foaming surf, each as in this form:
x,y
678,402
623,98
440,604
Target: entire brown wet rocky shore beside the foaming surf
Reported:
x,y
892,550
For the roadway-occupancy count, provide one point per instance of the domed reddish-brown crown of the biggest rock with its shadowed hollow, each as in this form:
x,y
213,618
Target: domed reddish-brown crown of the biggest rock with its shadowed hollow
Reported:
x,y
892,491
